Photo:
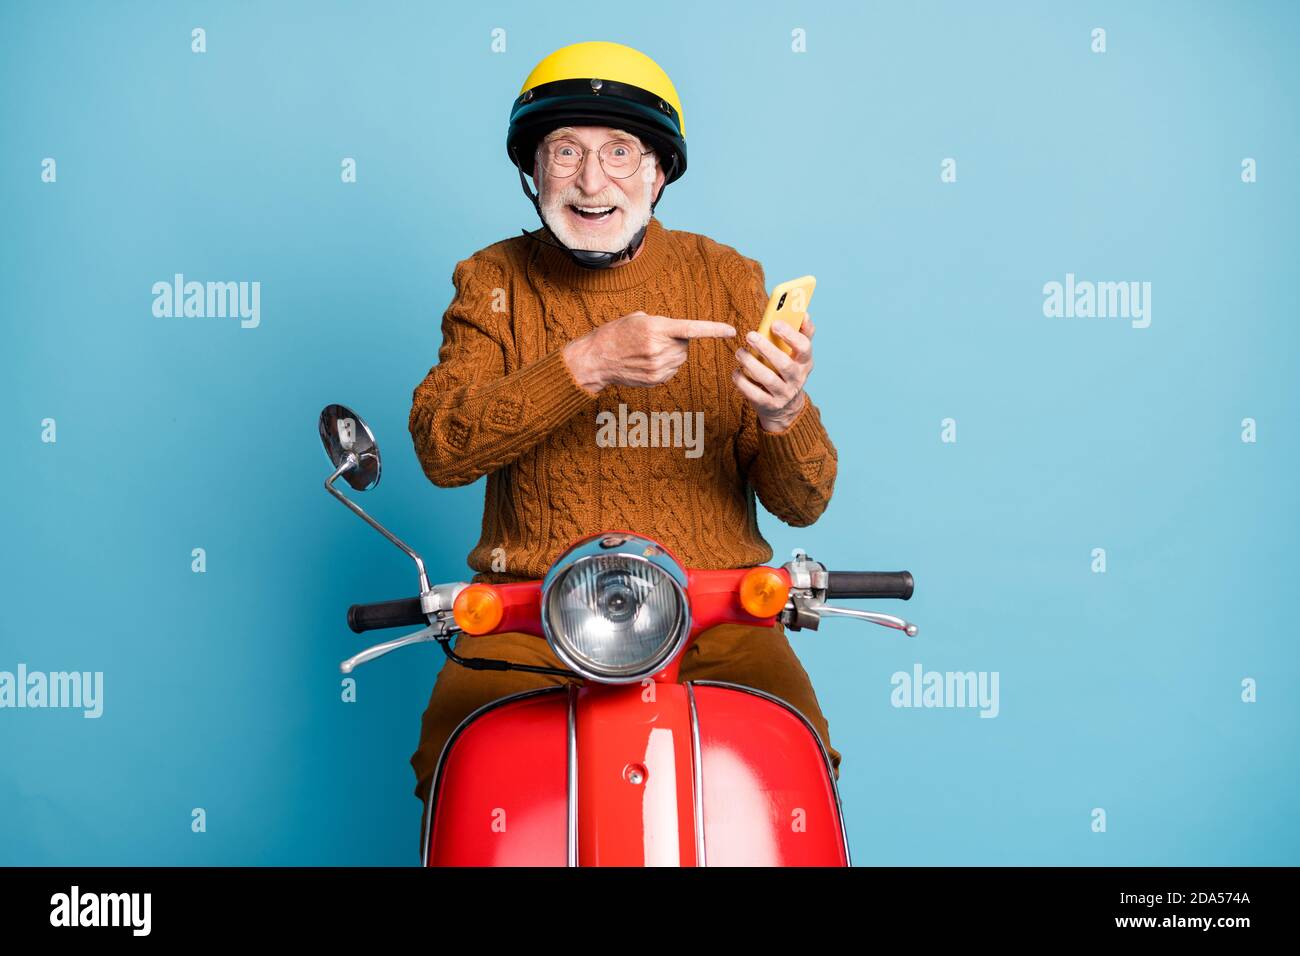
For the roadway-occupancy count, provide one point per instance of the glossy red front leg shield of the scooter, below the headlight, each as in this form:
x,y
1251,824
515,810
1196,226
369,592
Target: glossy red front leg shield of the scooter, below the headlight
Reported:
x,y
757,793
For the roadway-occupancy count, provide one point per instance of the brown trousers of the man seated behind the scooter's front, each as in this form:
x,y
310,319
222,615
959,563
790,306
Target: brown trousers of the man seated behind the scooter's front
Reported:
x,y
759,657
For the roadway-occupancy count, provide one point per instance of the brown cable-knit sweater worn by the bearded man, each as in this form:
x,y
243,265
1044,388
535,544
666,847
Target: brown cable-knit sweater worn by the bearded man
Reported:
x,y
502,403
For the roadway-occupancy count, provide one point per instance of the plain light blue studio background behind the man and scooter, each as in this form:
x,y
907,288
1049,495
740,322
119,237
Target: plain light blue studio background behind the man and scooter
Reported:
x,y
1120,691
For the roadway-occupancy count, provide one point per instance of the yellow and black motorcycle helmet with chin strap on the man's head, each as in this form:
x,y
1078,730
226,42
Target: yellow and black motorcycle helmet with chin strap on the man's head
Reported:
x,y
599,84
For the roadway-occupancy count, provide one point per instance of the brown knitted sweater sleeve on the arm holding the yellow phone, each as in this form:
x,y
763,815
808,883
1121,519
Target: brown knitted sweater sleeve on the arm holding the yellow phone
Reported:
x,y
792,471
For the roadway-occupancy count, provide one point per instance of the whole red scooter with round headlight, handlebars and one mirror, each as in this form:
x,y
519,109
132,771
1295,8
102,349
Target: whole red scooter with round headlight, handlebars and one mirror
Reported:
x,y
631,768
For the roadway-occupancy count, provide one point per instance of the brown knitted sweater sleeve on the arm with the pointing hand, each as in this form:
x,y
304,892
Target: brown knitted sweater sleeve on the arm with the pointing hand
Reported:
x,y
469,417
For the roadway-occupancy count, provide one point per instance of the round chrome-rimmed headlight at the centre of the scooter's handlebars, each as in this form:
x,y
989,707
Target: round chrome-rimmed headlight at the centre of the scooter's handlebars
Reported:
x,y
614,608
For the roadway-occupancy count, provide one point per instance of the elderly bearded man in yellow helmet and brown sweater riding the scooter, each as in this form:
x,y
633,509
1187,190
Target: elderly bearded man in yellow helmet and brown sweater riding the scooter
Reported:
x,y
601,315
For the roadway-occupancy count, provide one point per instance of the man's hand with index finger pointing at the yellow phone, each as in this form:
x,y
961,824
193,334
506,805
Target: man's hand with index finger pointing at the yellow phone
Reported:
x,y
638,349
